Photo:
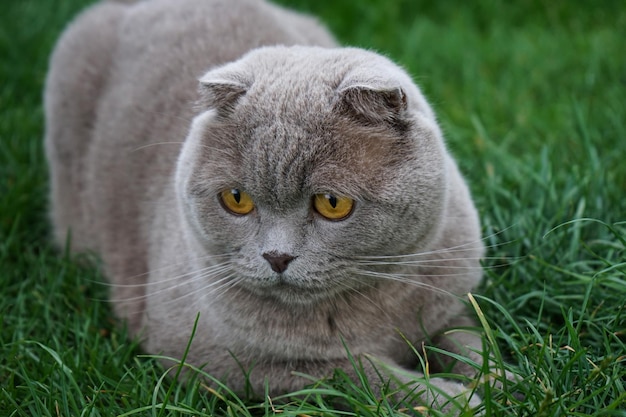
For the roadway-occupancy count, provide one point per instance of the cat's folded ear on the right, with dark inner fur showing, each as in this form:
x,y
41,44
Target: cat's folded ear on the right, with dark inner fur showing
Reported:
x,y
375,105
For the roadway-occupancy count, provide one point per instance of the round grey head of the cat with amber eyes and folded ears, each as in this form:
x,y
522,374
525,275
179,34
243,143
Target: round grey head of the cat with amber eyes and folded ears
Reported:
x,y
300,170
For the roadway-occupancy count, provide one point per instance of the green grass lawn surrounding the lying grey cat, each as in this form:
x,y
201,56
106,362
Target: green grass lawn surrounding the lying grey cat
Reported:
x,y
532,98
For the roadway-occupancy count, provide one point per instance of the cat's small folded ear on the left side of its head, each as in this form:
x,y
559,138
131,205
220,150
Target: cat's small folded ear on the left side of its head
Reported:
x,y
221,91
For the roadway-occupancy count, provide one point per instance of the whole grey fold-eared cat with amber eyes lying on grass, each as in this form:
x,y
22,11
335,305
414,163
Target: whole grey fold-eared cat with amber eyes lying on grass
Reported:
x,y
228,159
